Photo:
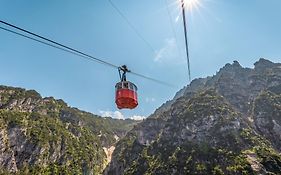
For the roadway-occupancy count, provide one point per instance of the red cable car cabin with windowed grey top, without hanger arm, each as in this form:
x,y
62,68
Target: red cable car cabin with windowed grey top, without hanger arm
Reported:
x,y
126,95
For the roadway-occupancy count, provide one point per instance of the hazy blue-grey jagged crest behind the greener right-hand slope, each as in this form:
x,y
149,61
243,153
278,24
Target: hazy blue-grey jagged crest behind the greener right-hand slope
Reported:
x,y
237,84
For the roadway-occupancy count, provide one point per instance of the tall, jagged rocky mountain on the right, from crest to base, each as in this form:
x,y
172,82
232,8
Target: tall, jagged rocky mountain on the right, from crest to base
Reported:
x,y
229,123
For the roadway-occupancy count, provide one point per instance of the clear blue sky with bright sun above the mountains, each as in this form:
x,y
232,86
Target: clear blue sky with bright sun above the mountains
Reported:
x,y
219,32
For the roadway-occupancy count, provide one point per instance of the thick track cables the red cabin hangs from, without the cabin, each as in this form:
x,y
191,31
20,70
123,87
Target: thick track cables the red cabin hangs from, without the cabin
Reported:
x,y
54,44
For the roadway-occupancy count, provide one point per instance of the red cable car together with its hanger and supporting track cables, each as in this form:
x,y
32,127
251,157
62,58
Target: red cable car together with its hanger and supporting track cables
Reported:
x,y
126,91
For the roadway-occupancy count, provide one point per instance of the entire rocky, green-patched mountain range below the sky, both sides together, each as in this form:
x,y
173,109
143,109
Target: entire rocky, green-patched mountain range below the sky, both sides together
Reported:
x,y
229,123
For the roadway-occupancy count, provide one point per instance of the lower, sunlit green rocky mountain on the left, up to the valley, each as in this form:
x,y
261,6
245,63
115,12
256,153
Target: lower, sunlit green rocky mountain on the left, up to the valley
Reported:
x,y
45,136
